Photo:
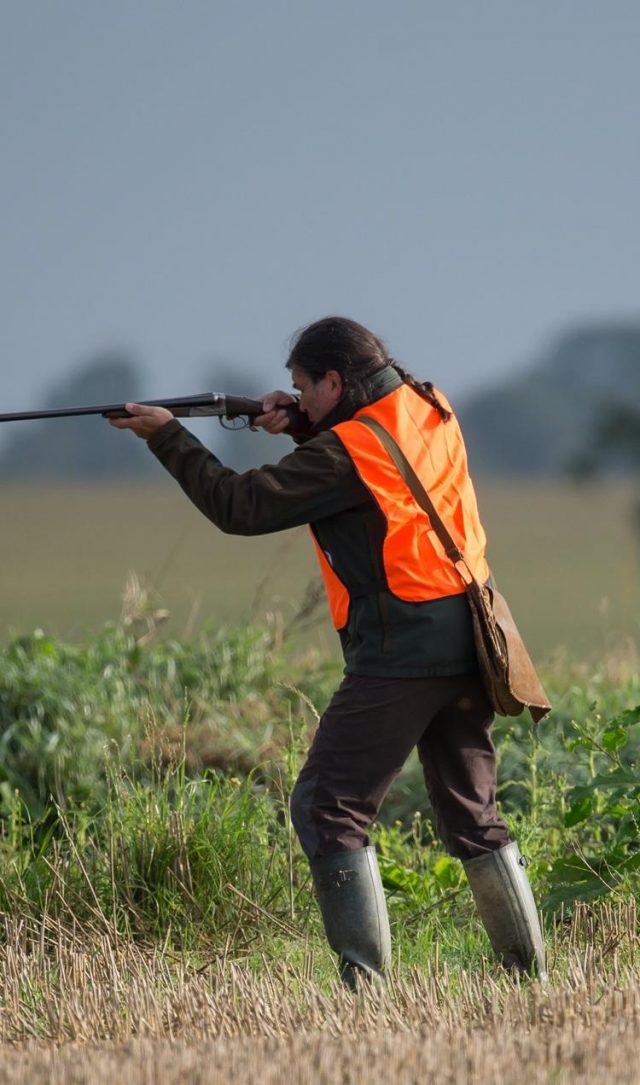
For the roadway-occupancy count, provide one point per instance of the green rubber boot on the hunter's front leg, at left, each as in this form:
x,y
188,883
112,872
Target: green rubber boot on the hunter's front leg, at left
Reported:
x,y
354,910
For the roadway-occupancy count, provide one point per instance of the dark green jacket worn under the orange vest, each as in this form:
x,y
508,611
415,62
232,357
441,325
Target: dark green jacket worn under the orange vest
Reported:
x,y
317,484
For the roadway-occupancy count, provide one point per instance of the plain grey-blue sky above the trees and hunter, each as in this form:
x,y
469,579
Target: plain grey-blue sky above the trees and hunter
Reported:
x,y
193,182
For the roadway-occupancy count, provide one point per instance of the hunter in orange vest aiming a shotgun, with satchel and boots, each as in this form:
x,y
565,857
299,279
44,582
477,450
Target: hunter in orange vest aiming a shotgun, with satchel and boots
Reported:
x,y
385,487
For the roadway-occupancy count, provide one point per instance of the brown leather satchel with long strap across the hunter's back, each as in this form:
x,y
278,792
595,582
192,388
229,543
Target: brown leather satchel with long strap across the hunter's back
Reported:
x,y
508,674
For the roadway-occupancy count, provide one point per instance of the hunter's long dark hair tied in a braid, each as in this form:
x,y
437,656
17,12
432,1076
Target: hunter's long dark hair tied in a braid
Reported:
x,y
356,354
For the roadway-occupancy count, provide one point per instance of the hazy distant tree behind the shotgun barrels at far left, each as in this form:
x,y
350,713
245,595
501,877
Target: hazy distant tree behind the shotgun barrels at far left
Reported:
x,y
80,449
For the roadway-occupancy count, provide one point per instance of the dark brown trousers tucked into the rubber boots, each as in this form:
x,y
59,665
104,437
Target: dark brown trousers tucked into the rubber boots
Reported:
x,y
365,738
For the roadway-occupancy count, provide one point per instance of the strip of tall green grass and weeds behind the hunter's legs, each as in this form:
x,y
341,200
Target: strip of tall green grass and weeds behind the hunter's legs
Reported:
x,y
146,783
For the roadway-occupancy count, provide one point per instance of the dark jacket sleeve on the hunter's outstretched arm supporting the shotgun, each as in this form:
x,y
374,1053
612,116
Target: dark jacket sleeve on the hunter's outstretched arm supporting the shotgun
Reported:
x,y
317,480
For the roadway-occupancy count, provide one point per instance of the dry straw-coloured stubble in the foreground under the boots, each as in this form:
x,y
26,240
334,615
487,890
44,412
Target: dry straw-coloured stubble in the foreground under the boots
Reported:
x,y
86,1009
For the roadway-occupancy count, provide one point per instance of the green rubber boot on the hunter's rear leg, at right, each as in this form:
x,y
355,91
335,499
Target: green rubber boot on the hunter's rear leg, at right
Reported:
x,y
506,904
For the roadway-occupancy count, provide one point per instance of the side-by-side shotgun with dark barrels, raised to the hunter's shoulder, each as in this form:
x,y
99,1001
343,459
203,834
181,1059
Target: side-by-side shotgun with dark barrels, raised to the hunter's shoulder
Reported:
x,y
210,404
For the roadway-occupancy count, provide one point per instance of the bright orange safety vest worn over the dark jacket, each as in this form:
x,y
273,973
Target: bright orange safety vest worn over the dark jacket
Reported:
x,y
416,566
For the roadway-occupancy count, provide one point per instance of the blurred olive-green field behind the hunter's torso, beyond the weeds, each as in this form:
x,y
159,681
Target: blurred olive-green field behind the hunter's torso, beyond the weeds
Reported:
x,y
567,559
